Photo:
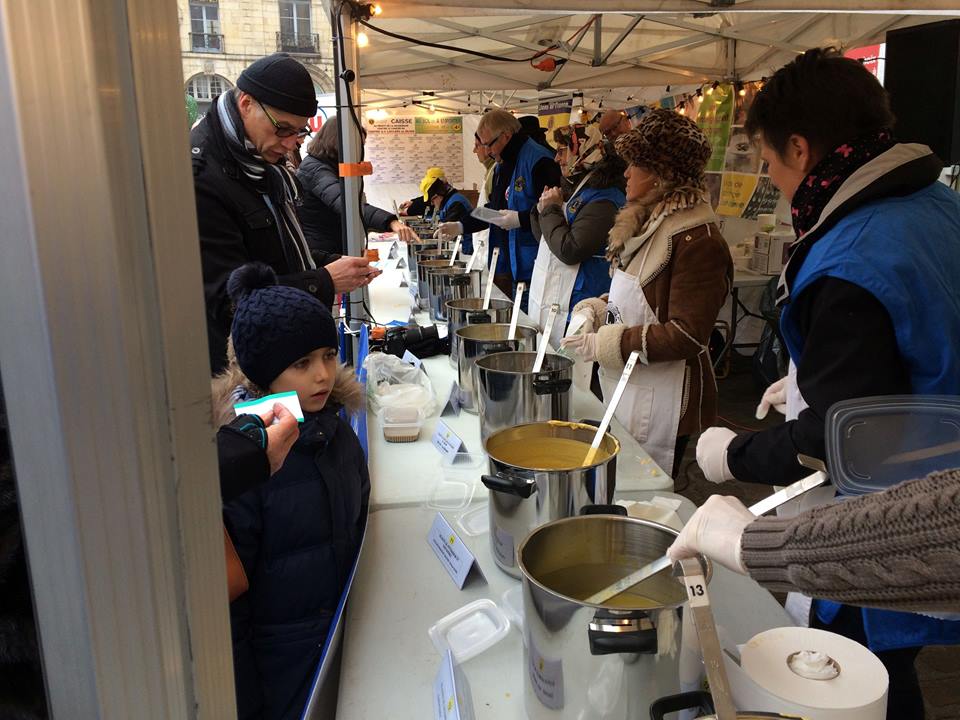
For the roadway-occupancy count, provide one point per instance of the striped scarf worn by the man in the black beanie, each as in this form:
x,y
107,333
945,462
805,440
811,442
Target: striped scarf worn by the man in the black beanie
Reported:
x,y
274,181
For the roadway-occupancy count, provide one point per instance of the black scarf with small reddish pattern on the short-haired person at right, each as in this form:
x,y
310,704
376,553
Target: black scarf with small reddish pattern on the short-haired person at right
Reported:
x,y
829,174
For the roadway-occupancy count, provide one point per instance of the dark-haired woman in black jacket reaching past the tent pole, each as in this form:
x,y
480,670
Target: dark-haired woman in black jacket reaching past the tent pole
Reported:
x,y
322,209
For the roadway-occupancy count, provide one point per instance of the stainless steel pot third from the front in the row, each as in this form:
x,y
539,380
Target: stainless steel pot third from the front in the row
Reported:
x,y
509,393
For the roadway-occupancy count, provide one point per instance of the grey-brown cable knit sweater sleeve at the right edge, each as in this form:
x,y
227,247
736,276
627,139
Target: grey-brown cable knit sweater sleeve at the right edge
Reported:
x,y
899,549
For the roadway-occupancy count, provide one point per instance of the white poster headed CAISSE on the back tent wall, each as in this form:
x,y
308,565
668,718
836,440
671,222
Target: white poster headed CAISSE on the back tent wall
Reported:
x,y
402,148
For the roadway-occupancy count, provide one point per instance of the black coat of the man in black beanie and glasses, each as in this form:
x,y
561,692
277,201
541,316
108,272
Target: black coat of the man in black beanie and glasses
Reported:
x,y
236,227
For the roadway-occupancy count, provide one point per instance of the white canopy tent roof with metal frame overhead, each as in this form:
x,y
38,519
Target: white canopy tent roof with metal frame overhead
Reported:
x,y
620,53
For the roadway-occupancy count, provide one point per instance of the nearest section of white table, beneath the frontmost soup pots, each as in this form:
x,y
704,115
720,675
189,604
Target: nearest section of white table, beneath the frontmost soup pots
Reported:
x,y
389,664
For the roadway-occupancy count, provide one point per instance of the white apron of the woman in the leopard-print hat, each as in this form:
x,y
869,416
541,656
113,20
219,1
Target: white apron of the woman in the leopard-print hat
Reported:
x,y
650,405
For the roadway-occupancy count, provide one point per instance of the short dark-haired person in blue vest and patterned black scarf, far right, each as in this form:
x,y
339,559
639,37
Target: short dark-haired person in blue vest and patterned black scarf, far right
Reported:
x,y
870,298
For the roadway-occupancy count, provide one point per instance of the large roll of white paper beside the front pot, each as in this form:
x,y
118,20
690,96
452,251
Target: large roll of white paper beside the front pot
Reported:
x,y
852,683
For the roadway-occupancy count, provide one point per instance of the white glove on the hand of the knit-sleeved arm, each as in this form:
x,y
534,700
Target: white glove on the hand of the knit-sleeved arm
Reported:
x,y
715,530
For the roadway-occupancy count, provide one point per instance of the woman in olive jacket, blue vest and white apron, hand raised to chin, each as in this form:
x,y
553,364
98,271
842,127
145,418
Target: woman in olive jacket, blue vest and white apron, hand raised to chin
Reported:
x,y
571,262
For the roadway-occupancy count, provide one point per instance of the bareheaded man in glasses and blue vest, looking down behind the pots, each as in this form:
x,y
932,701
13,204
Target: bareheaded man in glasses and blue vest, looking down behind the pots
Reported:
x,y
525,169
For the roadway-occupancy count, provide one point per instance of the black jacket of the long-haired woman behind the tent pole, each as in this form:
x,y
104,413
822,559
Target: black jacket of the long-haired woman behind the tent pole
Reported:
x,y
322,209
